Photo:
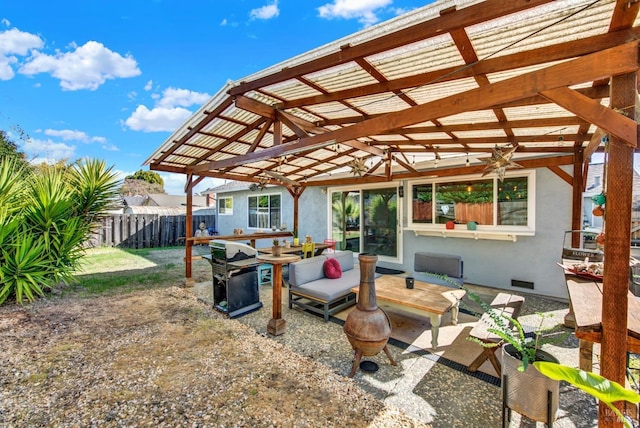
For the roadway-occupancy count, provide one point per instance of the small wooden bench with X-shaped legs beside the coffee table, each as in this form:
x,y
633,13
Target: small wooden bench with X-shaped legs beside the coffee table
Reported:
x,y
505,304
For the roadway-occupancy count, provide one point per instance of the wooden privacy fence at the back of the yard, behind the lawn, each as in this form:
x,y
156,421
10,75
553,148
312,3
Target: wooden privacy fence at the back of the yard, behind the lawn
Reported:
x,y
145,230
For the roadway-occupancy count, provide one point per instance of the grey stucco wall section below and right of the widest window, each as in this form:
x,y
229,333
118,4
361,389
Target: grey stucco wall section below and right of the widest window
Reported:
x,y
531,258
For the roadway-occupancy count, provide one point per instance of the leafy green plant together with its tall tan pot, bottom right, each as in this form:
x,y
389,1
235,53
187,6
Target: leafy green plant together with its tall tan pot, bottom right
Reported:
x,y
525,389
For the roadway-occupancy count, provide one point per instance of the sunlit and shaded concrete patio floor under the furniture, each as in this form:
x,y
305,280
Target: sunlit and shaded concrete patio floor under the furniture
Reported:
x,y
424,384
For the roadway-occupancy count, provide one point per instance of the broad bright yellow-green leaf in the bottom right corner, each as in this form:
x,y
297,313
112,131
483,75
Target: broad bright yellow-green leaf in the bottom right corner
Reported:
x,y
597,386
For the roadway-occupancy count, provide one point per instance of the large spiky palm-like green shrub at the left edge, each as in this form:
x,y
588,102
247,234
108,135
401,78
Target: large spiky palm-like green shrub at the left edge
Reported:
x,y
46,214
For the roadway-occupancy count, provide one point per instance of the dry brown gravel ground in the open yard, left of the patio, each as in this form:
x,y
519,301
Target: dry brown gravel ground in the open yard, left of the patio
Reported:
x,y
162,358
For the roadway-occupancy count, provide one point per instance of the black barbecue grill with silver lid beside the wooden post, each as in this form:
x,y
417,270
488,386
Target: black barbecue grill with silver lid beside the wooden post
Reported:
x,y
235,278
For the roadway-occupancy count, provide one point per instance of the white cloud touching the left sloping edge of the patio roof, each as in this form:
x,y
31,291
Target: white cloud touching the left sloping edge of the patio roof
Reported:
x,y
168,113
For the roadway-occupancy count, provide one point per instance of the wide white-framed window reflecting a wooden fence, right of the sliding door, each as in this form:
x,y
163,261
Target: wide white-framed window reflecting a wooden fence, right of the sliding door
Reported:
x,y
489,202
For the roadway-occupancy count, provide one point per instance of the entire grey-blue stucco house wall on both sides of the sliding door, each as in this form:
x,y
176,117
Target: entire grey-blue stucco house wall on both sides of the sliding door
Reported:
x,y
486,262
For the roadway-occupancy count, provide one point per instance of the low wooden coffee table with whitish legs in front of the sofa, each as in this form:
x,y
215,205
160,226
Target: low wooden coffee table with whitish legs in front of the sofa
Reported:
x,y
424,299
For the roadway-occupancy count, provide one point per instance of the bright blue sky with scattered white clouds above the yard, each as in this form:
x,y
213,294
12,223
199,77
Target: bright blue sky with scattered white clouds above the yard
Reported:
x,y
111,79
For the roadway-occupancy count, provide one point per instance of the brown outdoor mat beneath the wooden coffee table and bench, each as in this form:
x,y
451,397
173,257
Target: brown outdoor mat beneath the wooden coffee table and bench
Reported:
x,y
412,333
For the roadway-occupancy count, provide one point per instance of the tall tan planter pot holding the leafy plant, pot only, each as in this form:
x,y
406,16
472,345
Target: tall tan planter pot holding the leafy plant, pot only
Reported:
x,y
527,392
